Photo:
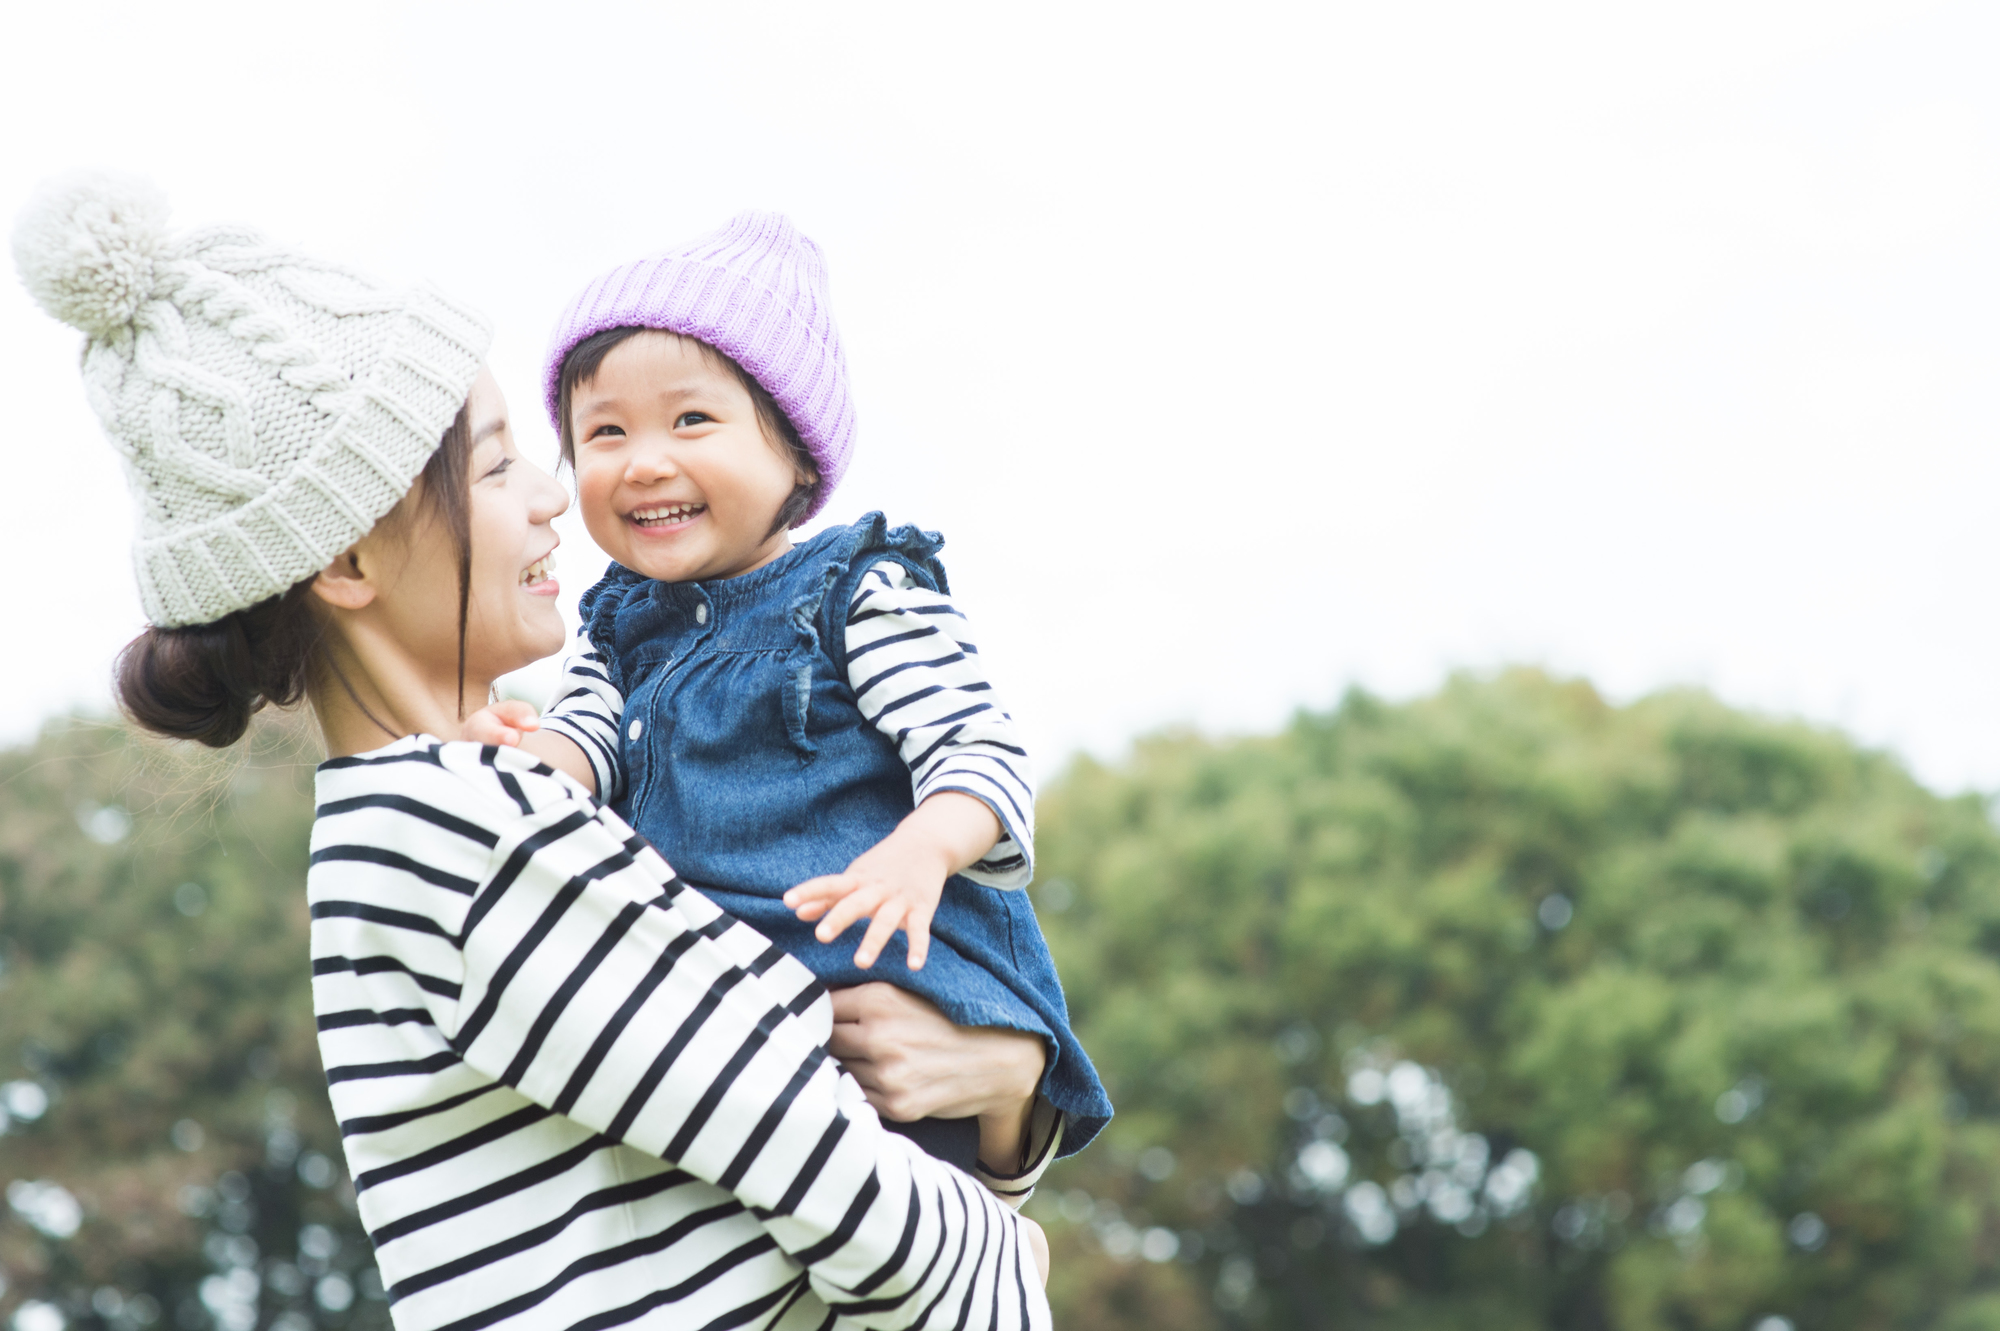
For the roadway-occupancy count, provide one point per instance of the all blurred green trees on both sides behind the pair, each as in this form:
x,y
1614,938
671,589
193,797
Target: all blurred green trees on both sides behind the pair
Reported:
x,y
1501,1008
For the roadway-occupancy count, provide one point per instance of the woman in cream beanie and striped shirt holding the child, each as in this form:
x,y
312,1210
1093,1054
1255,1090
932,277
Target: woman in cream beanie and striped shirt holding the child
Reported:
x,y
573,1092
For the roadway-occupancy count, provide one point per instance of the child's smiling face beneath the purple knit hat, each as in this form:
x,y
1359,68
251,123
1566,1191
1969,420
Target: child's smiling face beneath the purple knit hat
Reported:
x,y
677,479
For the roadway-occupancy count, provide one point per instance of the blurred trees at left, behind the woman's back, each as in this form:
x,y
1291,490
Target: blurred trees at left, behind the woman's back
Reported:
x,y
169,1152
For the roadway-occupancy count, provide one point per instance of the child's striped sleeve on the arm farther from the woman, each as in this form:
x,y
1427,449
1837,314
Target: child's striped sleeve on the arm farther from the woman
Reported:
x,y
917,676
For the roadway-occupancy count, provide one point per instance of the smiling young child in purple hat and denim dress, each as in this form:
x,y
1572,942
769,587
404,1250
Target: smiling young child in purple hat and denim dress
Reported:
x,y
805,732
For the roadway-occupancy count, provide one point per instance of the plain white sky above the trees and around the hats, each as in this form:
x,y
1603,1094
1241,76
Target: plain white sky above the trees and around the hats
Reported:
x,y
1241,351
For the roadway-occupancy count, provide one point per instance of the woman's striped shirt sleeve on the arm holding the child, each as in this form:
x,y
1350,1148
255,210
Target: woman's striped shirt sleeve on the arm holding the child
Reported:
x,y
603,990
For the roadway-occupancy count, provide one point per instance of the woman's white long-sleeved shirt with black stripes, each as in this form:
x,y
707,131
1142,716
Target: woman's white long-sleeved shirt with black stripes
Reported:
x,y
577,1094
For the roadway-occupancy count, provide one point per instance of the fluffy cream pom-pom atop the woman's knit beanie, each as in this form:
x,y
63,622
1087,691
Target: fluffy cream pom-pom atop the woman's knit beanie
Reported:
x,y
87,249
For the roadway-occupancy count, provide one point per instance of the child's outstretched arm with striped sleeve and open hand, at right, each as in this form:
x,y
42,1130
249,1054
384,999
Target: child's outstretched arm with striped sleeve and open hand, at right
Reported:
x,y
917,676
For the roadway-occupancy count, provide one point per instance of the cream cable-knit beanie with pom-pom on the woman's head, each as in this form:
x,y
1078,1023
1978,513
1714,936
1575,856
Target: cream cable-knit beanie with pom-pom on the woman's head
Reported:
x,y
269,407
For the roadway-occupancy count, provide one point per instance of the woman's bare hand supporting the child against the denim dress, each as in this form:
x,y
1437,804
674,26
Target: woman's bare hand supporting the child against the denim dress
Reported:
x,y
915,1064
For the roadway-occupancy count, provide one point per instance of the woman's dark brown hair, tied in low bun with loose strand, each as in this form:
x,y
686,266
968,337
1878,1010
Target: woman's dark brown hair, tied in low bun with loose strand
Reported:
x,y
205,682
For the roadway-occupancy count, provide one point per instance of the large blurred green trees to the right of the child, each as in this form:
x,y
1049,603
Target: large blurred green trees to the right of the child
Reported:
x,y
1511,1008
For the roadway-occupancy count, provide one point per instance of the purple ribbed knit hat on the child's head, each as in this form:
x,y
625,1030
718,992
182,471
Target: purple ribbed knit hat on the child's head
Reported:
x,y
757,293
